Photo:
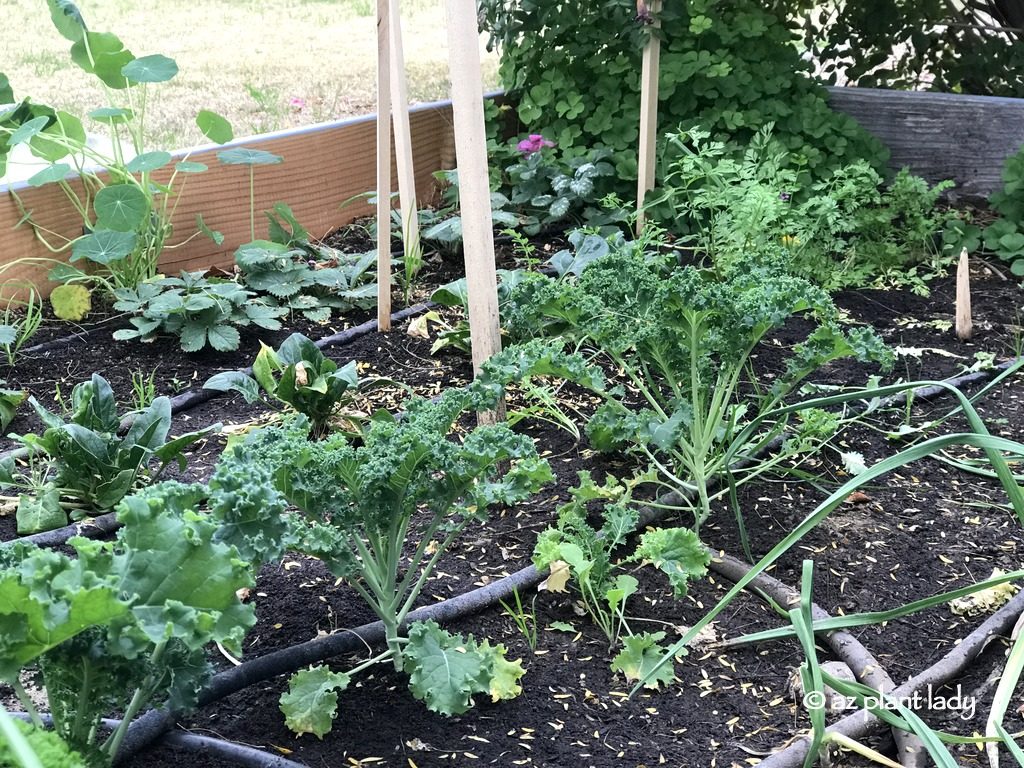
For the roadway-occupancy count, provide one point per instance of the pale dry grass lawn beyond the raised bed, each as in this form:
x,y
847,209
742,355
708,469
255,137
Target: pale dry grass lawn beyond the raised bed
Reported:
x,y
246,60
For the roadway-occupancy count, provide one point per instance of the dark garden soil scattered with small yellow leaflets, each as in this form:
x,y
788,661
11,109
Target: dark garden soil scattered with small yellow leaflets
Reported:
x,y
929,529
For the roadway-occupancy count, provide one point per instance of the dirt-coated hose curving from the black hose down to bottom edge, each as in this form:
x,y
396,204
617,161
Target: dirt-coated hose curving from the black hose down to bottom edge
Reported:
x,y
865,666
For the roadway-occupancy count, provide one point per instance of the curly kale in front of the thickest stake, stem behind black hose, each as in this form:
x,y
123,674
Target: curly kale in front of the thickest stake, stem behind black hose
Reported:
x,y
407,483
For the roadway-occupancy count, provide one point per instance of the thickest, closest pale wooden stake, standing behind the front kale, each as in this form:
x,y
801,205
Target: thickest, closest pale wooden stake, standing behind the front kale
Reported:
x,y
475,188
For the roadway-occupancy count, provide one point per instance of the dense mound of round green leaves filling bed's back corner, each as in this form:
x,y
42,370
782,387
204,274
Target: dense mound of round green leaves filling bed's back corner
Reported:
x,y
729,67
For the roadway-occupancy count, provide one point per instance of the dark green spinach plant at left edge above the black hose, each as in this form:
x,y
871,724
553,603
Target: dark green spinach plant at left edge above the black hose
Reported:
x,y
81,464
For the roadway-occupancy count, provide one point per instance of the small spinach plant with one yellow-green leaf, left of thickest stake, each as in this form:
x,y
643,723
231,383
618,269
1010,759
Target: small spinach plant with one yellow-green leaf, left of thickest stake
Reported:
x,y
300,376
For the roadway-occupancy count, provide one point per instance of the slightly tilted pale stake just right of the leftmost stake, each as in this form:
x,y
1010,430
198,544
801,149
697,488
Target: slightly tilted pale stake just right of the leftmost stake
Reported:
x,y
403,138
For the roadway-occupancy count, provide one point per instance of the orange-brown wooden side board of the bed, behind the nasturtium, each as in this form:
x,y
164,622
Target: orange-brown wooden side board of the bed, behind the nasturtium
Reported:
x,y
324,166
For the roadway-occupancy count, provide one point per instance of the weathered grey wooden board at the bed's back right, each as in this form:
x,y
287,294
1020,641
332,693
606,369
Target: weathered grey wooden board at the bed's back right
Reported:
x,y
941,136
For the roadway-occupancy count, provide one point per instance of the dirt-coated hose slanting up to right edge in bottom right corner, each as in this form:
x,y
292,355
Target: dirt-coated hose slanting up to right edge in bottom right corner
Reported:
x,y
861,723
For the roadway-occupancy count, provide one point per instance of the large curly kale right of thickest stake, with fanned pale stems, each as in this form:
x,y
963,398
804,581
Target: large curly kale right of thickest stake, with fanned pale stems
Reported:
x,y
684,340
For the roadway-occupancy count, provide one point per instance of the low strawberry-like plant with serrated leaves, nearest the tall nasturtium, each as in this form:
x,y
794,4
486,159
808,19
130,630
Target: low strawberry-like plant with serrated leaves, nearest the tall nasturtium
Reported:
x,y
198,310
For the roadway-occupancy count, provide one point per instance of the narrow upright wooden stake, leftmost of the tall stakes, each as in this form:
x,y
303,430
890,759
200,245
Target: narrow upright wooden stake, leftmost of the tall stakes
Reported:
x,y
383,166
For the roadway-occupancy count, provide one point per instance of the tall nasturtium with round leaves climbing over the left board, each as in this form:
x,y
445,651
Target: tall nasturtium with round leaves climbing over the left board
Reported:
x,y
126,211
